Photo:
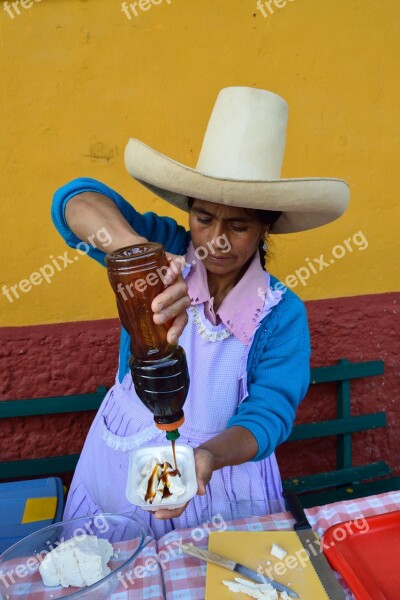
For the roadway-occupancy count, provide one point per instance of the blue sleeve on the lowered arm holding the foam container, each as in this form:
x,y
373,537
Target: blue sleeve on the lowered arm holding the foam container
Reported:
x,y
278,377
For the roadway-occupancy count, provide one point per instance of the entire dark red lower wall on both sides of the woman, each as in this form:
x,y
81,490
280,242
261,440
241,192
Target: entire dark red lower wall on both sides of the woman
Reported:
x,y
70,358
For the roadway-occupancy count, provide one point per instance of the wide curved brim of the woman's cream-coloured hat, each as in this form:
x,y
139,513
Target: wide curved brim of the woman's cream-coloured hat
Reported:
x,y
306,203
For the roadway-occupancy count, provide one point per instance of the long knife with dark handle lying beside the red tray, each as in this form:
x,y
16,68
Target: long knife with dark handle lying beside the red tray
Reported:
x,y
309,542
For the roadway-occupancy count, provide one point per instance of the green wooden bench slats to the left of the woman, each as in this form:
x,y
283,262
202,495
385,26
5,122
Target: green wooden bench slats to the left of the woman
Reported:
x,y
35,467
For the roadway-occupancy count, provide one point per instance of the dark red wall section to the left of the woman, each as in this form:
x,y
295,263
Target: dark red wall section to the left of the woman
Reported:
x,y
53,360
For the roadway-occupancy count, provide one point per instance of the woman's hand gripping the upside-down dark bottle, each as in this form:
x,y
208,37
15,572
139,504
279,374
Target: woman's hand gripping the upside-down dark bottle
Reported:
x,y
173,301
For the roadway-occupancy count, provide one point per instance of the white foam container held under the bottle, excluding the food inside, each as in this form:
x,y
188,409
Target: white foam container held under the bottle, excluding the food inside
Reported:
x,y
186,465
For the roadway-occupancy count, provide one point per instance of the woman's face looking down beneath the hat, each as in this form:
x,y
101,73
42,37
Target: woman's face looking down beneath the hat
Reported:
x,y
209,221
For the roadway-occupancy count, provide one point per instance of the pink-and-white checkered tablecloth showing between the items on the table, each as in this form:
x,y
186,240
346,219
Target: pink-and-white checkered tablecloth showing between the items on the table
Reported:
x,y
181,577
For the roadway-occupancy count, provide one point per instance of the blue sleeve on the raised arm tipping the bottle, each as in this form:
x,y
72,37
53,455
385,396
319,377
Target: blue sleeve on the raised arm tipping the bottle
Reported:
x,y
164,230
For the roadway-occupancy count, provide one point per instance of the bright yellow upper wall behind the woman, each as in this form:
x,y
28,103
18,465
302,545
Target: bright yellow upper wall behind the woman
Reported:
x,y
78,78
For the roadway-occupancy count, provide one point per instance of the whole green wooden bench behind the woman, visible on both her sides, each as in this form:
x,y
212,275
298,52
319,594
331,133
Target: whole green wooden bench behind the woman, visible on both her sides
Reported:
x,y
347,481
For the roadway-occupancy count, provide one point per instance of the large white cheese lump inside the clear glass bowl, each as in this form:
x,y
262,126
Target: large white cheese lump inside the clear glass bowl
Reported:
x,y
78,562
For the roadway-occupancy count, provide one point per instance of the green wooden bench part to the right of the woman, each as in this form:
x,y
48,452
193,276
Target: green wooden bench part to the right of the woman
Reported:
x,y
347,481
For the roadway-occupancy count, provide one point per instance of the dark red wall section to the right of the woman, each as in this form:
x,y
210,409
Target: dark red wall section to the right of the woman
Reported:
x,y
359,328
